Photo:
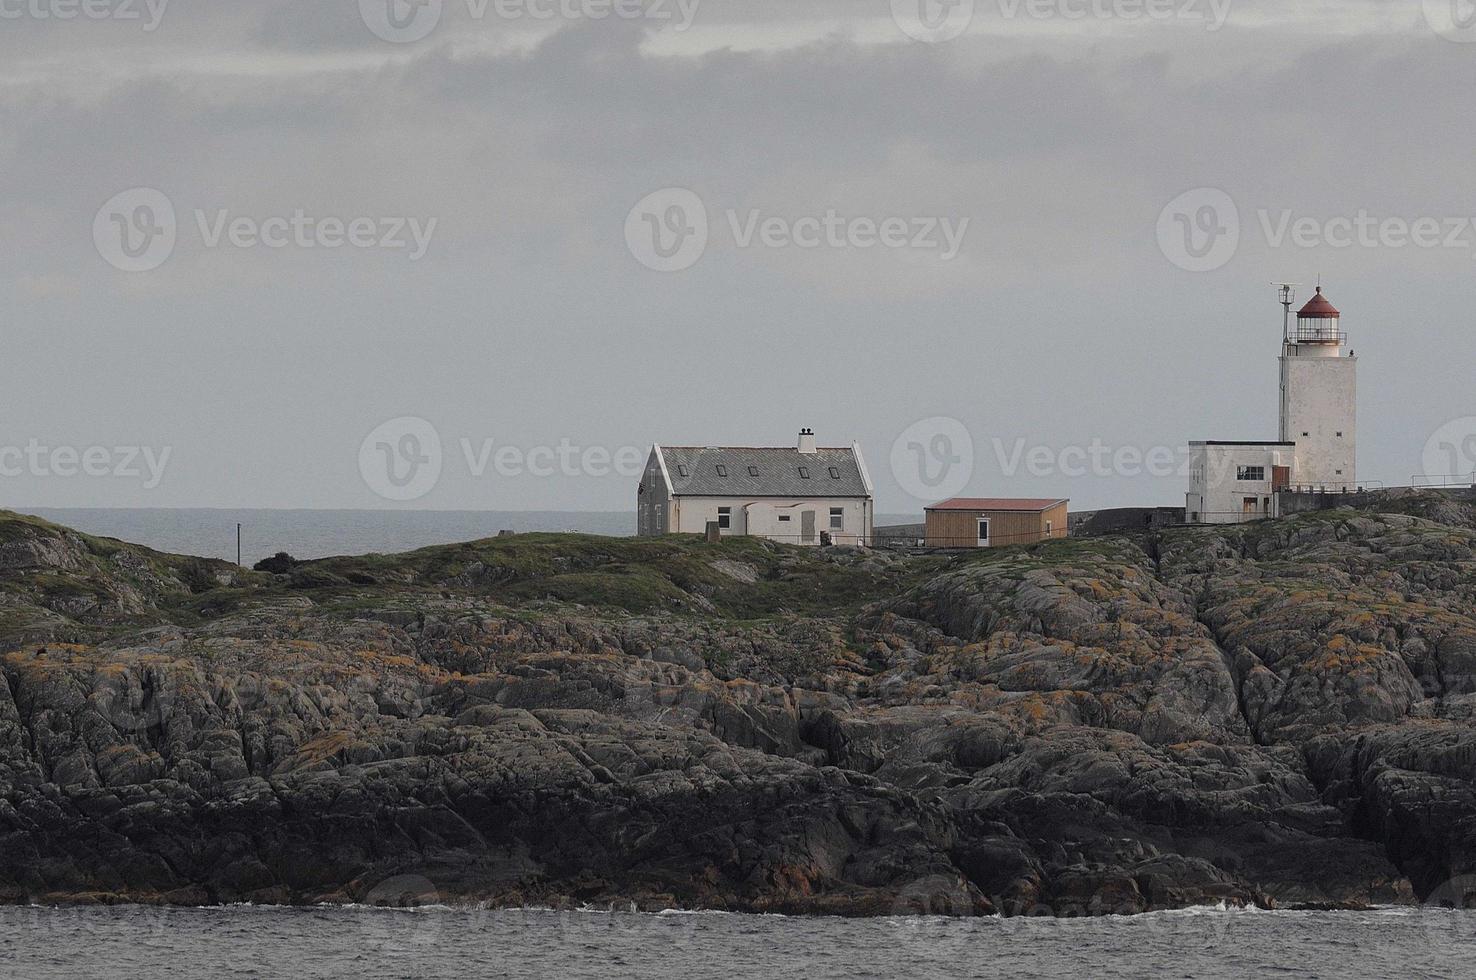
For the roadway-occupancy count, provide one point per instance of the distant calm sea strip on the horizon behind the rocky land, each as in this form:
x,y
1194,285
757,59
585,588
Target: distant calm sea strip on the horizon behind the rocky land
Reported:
x,y
212,534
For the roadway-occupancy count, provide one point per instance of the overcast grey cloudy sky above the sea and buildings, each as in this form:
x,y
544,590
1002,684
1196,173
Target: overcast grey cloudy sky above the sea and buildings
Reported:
x,y
463,255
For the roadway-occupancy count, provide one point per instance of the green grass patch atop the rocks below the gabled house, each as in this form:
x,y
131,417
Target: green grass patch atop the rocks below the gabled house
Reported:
x,y
668,576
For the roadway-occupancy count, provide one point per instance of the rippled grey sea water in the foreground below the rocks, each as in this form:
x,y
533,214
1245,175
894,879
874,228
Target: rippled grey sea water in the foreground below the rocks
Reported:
x,y
365,944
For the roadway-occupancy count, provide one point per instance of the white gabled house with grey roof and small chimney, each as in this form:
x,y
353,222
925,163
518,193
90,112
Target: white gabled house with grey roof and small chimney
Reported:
x,y
792,495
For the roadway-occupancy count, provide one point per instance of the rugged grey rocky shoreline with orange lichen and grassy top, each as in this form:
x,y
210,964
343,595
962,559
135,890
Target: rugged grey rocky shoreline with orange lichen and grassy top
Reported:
x,y
1279,715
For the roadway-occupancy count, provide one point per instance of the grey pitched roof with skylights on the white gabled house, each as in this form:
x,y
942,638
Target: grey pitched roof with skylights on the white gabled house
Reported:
x,y
833,473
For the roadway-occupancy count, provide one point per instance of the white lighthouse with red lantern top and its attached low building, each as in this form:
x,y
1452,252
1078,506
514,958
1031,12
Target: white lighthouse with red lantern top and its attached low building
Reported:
x,y
1235,482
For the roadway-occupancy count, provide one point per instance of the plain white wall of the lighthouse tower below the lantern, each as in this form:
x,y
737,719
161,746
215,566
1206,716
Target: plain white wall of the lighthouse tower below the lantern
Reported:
x,y
1320,414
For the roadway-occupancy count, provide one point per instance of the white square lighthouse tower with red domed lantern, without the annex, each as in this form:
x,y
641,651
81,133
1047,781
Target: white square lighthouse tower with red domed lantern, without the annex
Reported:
x,y
1319,396
